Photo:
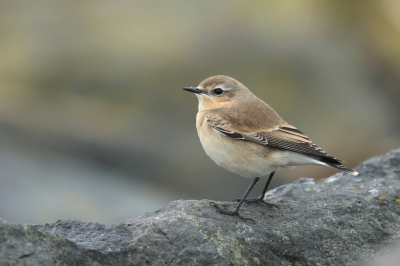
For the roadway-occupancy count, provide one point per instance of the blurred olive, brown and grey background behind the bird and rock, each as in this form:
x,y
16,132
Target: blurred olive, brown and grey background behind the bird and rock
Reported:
x,y
94,124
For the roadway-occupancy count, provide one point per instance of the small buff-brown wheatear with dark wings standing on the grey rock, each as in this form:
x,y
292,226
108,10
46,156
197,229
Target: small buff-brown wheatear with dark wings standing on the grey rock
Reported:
x,y
246,136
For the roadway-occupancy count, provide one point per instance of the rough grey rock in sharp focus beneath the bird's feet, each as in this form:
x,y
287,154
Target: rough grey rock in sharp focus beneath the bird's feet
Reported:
x,y
341,220
